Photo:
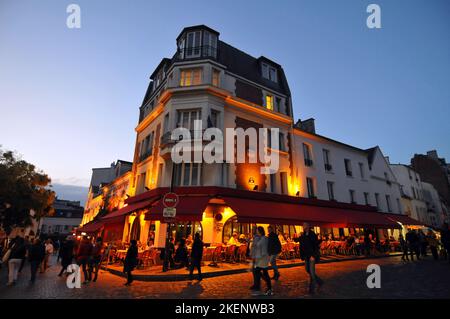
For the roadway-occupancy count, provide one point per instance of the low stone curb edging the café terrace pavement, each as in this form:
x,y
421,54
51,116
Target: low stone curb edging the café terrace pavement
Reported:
x,y
185,277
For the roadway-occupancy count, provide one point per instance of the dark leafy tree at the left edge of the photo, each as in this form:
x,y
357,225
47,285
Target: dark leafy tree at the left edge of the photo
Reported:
x,y
23,192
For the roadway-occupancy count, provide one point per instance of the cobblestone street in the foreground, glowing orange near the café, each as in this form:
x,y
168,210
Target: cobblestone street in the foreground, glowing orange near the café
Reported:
x,y
423,279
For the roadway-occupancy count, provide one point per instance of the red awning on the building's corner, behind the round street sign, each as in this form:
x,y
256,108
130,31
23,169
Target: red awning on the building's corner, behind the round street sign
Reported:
x,y
189,208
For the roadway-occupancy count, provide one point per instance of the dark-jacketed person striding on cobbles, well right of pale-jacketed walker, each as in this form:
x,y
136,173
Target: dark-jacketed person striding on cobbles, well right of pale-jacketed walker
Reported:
x,y
310,253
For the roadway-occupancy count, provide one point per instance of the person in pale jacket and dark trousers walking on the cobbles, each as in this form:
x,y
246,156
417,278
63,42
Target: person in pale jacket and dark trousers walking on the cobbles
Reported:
x,y
260,256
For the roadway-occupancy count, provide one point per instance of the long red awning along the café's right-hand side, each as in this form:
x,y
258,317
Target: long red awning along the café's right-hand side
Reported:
x,y
260,211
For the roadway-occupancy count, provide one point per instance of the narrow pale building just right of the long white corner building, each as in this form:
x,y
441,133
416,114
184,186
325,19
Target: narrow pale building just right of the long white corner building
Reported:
x,y
412,193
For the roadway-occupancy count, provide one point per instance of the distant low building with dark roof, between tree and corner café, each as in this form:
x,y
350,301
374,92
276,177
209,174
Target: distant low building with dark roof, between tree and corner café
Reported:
x,y
65,219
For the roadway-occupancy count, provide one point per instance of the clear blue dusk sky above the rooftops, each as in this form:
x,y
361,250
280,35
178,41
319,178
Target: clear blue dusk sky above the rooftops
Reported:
x,y
69,98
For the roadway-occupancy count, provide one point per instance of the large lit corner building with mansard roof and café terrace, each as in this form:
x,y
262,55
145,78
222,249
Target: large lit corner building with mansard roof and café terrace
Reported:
x,y
338,188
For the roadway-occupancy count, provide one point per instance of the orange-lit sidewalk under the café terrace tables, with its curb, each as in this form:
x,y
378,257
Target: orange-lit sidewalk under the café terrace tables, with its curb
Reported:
x,y
155,273
